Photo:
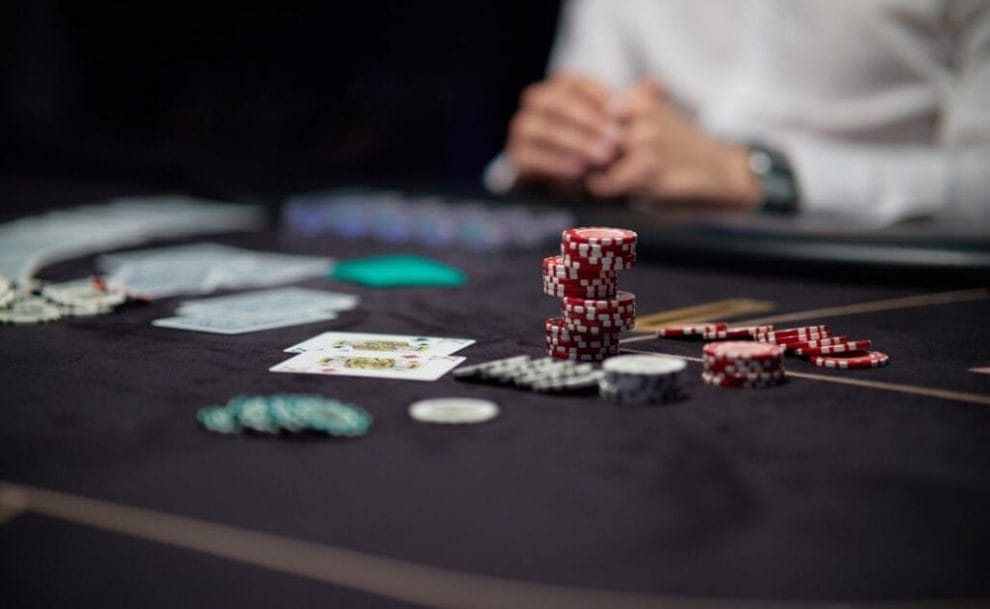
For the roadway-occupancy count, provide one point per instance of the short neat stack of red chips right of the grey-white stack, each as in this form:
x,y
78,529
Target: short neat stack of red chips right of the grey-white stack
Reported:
x,y
743,364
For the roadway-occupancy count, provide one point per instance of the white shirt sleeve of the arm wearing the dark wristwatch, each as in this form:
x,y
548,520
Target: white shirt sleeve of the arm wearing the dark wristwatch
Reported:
x,y
949,178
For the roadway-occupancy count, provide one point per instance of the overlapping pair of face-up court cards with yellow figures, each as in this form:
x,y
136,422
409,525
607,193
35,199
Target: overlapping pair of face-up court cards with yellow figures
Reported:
x,y
420,358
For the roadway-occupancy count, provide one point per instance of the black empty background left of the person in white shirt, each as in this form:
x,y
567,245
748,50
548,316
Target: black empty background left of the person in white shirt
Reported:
x,y
264,97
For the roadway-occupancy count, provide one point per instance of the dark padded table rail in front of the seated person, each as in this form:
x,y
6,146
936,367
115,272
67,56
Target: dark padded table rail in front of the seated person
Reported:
x,y
934,252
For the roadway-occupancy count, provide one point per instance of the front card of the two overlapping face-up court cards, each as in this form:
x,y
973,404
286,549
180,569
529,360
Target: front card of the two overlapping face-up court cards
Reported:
x,y
370,364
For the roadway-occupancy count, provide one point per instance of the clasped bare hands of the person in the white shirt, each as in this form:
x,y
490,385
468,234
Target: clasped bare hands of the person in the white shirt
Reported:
x,y
575,134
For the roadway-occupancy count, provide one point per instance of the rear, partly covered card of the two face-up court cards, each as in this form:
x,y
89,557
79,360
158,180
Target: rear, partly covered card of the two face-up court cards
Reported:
x,y
385,344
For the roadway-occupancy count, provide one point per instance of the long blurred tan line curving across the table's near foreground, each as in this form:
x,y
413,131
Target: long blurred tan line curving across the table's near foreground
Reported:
x,y
405,581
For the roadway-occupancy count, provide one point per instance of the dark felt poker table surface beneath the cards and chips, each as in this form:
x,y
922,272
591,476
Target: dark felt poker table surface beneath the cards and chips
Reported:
x,y
852,487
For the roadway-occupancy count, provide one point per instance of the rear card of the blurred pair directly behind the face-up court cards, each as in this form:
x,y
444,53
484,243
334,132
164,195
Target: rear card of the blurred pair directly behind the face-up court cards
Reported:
x,y
266,303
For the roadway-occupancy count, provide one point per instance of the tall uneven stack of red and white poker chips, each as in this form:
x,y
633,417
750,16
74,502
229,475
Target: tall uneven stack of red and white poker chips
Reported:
x,y
585,279
